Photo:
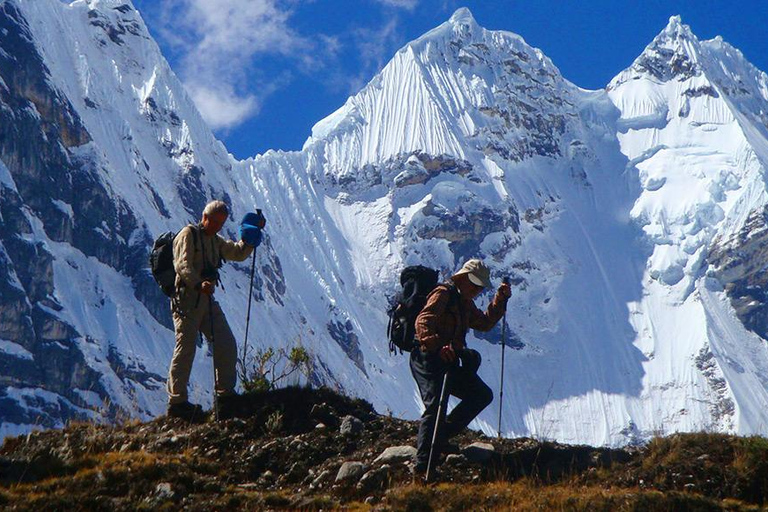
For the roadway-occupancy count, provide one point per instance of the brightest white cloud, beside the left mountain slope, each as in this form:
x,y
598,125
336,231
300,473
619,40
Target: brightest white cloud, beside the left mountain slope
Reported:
x,y
218,42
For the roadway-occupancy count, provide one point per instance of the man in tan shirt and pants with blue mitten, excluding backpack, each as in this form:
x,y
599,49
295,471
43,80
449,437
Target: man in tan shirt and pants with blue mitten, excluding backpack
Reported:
x,y
197,255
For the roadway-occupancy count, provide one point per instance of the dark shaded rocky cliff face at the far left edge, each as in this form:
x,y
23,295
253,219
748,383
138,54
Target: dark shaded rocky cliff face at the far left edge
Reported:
x,y
47,166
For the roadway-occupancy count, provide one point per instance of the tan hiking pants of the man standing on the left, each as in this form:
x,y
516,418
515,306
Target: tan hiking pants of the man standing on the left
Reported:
x,y
188,322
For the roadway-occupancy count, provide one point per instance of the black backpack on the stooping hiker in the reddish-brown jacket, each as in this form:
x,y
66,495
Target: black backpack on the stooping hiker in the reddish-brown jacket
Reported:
x,y
417,282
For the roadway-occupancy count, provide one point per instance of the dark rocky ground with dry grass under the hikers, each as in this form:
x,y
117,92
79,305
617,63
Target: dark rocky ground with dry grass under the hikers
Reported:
x,y
304,449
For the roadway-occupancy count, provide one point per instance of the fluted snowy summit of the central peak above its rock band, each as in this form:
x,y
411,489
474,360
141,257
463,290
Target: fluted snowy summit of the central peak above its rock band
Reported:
x,y
458,82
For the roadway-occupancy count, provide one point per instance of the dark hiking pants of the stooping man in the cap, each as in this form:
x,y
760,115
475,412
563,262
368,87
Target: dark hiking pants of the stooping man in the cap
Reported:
x,y
428,370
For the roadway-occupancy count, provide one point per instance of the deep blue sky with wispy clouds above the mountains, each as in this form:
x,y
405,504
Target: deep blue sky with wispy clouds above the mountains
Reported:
x,y
263,72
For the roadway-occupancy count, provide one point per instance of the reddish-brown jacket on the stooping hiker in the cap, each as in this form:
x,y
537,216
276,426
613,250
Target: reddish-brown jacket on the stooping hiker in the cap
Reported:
x,y
446,320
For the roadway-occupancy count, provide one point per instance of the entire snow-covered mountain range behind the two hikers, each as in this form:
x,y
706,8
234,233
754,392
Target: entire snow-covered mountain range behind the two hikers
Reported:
x,y
631,221
